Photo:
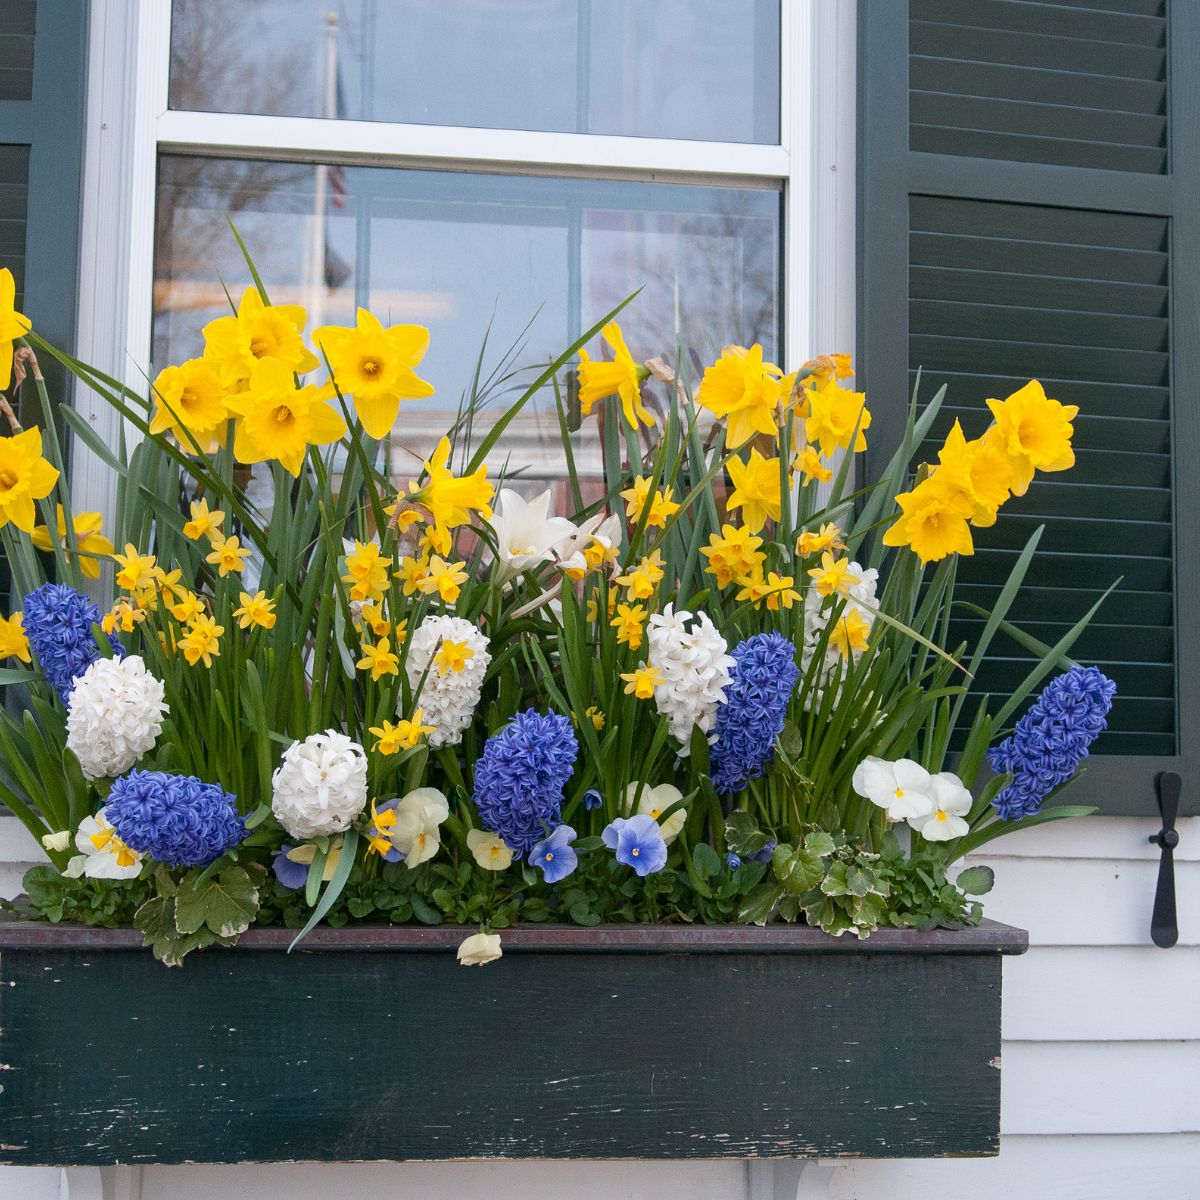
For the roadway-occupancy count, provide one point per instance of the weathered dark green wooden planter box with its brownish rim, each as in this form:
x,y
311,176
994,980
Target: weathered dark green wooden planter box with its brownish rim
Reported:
x,y
616,1042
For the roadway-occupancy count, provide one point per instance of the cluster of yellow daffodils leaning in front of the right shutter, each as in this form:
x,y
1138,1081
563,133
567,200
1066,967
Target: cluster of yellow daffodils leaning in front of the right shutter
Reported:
x,y
974,479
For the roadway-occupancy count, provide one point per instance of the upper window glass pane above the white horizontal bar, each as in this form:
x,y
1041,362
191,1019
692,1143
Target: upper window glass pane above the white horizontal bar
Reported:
x,y
668,69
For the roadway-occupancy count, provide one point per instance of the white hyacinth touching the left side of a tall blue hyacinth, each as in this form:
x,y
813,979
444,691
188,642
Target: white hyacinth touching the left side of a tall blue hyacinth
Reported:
x,y
694,671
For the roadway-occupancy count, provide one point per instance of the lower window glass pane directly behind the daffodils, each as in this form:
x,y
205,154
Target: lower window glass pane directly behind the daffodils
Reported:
x,y
538,260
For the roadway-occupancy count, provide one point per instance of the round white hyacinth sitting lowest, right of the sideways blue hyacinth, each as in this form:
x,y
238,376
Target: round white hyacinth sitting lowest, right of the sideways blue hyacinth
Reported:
x,y
321,785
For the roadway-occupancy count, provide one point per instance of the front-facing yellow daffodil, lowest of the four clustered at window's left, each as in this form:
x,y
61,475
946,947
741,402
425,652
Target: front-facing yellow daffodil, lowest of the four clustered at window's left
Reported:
x,y
280,421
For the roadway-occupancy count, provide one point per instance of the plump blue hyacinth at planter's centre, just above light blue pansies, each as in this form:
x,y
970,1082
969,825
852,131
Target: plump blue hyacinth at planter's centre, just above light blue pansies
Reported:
x,y
520,778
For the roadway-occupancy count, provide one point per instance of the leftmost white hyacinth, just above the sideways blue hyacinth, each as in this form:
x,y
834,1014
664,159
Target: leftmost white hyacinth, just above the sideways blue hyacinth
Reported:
x,y
115,716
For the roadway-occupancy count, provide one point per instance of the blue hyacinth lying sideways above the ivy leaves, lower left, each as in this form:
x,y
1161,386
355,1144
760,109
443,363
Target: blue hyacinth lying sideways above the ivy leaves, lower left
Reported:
x,y
178,820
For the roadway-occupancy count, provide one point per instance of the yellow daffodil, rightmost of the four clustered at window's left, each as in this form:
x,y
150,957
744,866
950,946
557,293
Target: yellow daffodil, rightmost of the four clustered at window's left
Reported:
x,y
376,367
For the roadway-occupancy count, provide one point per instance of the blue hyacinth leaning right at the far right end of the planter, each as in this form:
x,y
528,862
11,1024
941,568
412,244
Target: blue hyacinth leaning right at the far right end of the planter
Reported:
x,y
1052,740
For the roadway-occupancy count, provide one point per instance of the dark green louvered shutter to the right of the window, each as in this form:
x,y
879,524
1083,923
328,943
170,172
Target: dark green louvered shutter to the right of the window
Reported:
x,y
1030,207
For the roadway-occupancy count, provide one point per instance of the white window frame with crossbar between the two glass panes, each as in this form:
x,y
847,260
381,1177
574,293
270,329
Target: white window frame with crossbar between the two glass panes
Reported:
x,y
130,124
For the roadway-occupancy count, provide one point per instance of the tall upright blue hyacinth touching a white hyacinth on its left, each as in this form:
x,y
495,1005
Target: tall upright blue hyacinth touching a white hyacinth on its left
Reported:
x,y
757,699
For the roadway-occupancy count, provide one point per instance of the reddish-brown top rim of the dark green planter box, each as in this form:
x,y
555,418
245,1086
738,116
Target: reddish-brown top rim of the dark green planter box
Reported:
x,y
989,938
